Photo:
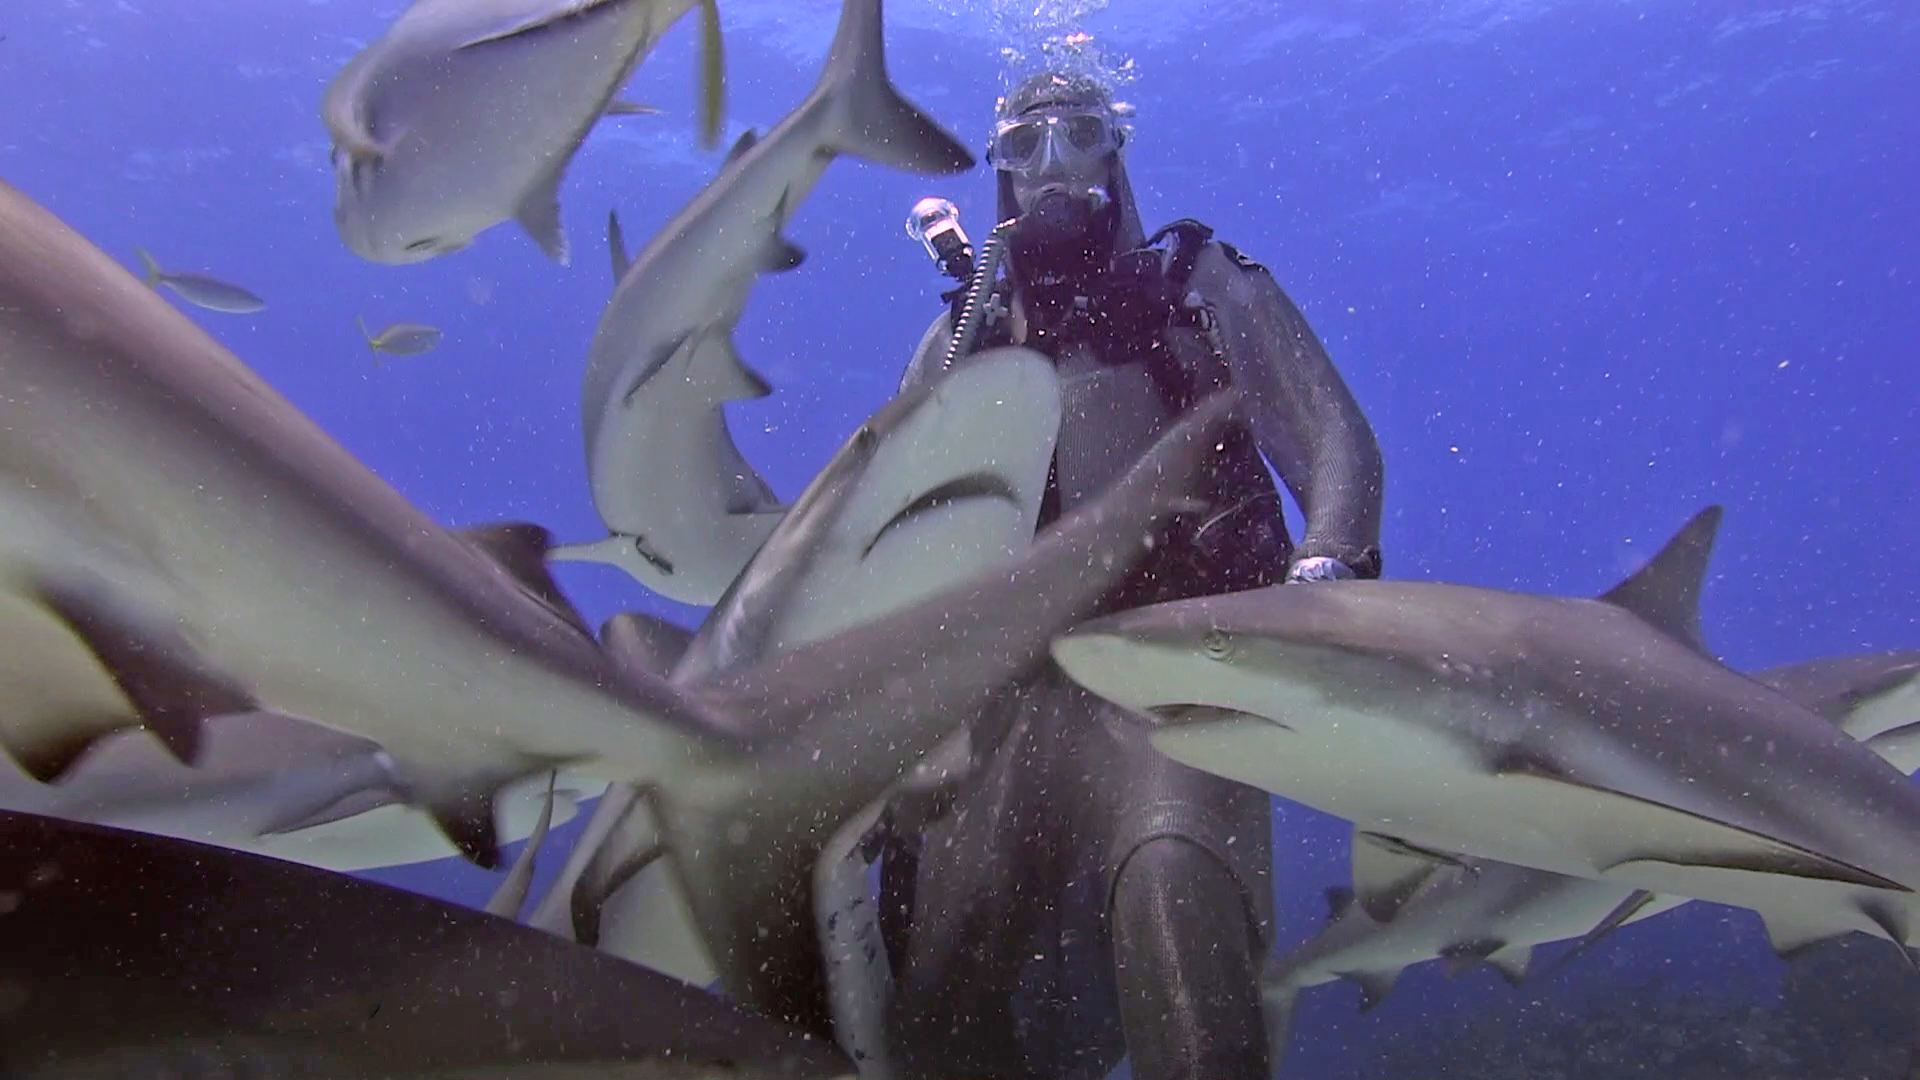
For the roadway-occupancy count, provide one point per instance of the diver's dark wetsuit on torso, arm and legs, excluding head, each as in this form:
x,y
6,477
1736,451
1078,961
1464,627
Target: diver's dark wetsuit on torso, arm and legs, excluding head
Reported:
x,y
1088,896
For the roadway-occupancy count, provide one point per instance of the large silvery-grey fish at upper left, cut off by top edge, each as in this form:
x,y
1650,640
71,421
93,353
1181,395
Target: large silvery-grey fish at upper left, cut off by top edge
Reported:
x,y
468,112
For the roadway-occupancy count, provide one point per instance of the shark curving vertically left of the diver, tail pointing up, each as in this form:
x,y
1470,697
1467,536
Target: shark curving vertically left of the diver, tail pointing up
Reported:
x,y
681,512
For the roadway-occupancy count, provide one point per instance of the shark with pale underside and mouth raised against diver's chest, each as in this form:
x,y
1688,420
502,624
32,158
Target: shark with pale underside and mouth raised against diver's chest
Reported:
x,y
949,487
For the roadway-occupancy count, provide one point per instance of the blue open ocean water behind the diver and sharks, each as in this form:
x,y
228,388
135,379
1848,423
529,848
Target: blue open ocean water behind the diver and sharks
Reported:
x,y
1589,266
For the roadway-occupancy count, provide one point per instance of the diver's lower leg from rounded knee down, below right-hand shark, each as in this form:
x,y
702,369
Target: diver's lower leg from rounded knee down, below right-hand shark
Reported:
x,y
1188,958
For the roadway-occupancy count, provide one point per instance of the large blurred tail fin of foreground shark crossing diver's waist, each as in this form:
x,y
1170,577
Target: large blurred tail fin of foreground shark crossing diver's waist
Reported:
x,y
867,702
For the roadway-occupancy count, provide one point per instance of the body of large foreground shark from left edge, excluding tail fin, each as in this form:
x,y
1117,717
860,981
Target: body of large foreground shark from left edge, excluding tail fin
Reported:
x,y
178,541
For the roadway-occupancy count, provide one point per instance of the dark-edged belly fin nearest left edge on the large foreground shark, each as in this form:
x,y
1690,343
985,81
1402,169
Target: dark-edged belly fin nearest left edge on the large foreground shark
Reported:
x,y
160,674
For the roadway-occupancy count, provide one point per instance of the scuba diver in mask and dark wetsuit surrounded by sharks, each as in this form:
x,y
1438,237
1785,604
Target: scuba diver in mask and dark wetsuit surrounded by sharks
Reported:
x,y
1078,896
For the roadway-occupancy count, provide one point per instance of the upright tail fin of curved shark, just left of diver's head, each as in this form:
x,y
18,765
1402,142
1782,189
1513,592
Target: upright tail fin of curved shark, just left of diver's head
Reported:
x,y
871,118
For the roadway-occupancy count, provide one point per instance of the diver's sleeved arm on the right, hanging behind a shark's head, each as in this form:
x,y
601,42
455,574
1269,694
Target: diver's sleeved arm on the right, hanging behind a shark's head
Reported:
x,y
1301,412
